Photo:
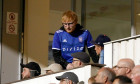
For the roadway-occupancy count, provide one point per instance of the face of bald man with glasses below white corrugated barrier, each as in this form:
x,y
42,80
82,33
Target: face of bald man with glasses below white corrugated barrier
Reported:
x,y
120,69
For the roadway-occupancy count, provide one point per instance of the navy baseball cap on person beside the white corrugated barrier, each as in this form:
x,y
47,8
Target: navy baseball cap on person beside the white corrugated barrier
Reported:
x,y
101,39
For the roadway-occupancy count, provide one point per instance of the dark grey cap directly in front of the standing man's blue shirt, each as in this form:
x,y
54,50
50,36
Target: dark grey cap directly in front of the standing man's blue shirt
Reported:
x,y
82,56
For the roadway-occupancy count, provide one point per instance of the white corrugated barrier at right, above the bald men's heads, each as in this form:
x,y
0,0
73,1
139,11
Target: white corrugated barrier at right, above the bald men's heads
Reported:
x,y
122,48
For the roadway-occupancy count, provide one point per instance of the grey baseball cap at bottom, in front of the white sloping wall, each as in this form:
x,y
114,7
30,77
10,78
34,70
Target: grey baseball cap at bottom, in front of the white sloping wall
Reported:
x,y
69,75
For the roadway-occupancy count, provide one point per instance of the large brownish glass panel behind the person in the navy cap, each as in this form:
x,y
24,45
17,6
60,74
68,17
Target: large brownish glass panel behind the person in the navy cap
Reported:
x,y
110,17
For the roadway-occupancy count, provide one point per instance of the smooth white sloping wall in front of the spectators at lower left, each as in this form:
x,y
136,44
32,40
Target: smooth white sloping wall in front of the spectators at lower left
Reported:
x,y
83,73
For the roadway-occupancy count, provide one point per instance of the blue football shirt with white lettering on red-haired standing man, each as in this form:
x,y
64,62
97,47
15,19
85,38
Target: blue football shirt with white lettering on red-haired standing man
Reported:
x,y
71,43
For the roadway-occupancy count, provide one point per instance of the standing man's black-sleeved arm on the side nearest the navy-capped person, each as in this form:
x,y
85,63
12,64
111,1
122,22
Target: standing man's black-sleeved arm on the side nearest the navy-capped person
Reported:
x,y
93,55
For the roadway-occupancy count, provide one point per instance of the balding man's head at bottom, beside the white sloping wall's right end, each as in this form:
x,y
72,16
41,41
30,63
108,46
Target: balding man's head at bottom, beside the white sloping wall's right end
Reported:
x,y
105,76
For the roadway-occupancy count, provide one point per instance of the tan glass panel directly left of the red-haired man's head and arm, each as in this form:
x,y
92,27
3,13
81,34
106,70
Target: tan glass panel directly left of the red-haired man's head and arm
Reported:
x,y
56,10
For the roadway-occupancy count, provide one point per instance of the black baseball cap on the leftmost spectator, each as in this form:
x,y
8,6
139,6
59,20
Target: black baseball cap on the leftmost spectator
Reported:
x,y
32,66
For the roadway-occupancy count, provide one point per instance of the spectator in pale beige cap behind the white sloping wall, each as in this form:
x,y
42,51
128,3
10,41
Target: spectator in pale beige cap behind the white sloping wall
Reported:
x,y
53,68
